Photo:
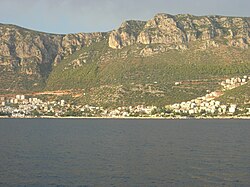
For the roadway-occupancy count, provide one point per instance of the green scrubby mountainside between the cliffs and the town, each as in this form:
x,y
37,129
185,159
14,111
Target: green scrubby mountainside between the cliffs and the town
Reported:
x,y
123,77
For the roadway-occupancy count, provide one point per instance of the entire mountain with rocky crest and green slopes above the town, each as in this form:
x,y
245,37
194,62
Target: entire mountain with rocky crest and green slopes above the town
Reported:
x,y
138,63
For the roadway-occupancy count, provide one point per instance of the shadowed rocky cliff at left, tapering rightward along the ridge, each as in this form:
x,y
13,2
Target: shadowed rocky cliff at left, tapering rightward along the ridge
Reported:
x,y
29,54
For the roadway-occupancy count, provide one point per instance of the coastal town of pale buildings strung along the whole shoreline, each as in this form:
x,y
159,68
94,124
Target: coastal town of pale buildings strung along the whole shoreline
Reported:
x,y
22,106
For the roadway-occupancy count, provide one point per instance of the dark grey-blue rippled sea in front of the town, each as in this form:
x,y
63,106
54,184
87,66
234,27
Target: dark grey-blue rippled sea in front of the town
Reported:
x,y
42,152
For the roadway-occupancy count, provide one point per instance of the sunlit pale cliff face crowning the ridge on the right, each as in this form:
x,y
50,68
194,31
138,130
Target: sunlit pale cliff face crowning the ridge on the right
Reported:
x,y
179,30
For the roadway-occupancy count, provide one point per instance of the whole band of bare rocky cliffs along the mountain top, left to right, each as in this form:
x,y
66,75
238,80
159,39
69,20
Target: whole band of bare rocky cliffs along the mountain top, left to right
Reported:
x,y
27,57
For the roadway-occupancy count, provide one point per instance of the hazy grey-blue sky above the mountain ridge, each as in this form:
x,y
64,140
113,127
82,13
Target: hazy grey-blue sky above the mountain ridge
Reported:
x,y
71,16
